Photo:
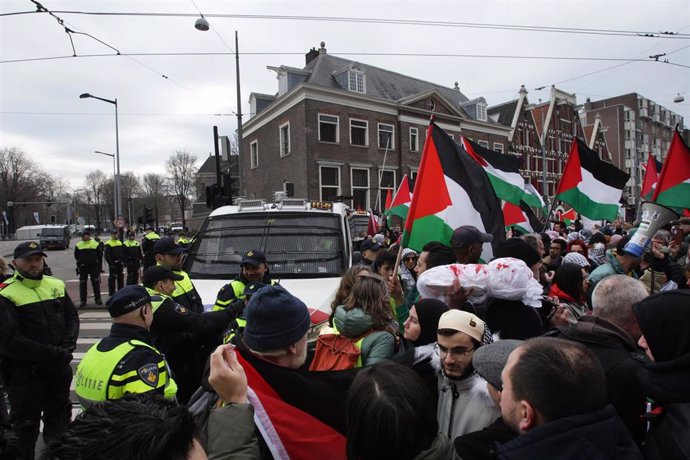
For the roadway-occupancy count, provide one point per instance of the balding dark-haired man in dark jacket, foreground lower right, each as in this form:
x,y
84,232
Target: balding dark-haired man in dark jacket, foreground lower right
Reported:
x,y
554,397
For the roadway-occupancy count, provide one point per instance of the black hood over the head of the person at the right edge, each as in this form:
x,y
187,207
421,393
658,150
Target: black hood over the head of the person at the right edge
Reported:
x,y
664,320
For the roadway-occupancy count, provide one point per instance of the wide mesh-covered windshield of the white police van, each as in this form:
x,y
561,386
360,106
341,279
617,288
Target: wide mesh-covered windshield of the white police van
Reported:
x,y
296,244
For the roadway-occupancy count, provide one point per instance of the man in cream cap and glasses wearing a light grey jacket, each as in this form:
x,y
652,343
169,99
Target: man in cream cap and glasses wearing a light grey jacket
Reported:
x,y
464,403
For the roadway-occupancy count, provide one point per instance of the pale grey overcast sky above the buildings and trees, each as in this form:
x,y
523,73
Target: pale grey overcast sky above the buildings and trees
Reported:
x,y
40,110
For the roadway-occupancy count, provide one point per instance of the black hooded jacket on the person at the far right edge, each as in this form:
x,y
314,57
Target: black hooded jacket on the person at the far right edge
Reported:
x,y
664,320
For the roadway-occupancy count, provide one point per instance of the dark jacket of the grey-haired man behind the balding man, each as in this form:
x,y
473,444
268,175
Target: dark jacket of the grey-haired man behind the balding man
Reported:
x,y
621,359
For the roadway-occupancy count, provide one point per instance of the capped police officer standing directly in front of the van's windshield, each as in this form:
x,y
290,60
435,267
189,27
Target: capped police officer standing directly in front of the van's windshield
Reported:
x,y
253,270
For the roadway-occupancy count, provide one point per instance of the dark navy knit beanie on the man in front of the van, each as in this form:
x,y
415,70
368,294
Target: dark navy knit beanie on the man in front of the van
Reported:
x,y
275,319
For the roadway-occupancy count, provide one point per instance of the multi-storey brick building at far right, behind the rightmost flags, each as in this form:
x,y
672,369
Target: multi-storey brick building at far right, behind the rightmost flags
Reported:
x,y
636,127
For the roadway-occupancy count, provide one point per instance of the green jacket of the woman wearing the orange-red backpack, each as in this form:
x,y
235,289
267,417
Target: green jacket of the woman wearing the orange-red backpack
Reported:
x,y
377,346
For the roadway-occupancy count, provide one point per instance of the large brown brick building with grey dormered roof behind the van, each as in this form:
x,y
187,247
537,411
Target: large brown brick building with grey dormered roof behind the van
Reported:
x,y
339,128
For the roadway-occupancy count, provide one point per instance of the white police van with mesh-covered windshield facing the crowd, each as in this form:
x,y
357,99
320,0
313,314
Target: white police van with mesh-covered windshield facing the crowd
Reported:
x,y
308,247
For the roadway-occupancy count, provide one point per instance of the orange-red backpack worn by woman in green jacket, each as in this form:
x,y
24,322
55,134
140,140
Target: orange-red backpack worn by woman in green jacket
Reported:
x,y
335,352
